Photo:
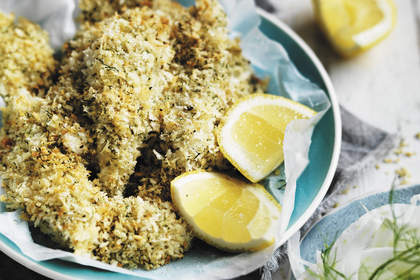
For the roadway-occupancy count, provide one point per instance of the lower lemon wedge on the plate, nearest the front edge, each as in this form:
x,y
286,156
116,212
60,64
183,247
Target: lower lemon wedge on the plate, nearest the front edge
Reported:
x,y
227,213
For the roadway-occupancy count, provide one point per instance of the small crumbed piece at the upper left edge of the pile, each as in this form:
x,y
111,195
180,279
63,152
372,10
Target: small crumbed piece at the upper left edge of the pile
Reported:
x,y
26,57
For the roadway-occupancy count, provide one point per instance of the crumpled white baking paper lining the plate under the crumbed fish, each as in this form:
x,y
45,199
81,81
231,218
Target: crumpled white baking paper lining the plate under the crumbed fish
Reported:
x,y
269,59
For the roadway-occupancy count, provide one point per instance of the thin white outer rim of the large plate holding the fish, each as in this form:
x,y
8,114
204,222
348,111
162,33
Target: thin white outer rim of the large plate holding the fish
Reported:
x,y
32,265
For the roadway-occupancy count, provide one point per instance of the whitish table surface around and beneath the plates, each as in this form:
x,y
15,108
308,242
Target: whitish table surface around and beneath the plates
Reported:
x,y
381,86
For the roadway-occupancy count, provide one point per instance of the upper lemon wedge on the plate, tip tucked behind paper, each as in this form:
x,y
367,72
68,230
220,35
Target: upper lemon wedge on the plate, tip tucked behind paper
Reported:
x,y
252,135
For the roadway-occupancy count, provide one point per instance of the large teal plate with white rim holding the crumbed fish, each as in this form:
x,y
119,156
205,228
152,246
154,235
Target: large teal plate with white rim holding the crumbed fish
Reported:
x,y
311,186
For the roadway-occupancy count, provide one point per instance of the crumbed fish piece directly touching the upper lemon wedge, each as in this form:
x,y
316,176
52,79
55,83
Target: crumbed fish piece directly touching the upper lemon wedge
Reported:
x,y
211,75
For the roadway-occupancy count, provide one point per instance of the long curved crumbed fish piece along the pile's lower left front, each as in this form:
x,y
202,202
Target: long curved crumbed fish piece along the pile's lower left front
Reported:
x,y
44,174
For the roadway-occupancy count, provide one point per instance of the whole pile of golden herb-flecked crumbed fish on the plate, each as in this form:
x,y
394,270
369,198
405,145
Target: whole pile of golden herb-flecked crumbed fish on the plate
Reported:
x,y
140,92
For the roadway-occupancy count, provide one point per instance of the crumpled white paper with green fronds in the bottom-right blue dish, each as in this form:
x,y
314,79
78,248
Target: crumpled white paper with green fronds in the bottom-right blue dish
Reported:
x,y
364,245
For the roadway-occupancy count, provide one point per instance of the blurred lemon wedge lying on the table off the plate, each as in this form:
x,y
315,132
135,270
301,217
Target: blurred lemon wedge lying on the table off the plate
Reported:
x,y
354,26
